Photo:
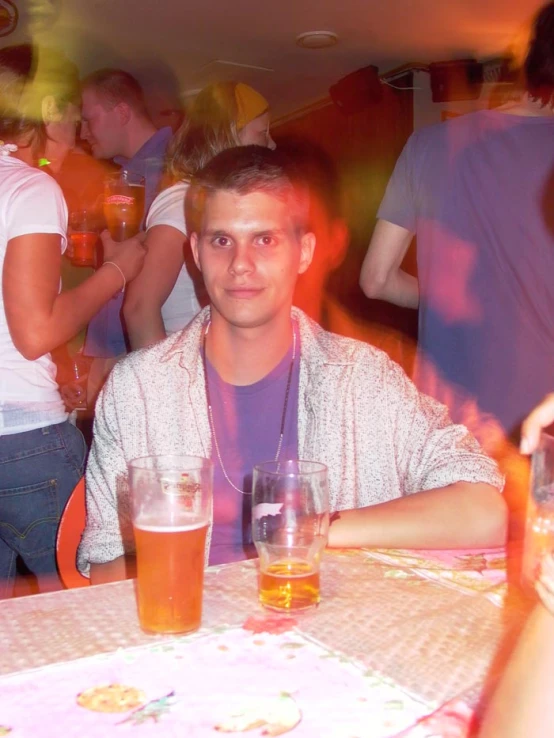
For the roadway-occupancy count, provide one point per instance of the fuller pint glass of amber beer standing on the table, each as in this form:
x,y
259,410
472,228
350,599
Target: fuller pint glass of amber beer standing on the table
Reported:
x,y
171,499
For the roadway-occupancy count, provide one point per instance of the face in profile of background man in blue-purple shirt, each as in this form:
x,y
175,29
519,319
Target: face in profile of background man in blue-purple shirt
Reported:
x,y
101,126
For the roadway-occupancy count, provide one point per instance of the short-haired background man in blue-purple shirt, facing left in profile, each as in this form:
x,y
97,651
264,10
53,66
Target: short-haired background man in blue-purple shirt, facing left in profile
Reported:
x,y
115,123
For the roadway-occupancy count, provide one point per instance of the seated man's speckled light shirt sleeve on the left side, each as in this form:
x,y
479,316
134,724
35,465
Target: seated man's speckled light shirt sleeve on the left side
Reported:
x,y
108,532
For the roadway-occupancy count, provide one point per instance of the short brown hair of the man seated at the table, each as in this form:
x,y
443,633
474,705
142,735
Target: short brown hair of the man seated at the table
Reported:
x,y
244,170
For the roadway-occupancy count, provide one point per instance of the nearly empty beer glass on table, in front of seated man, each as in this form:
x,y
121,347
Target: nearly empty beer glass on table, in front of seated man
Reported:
x,y
290,523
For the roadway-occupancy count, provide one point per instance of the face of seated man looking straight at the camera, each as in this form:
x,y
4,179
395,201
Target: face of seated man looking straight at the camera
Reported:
x,y
250,256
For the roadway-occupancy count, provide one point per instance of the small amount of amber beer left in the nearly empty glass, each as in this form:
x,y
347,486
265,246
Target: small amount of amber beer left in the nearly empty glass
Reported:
x,y
289,585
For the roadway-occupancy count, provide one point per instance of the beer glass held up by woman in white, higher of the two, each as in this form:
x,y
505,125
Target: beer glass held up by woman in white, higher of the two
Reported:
x,y
123,204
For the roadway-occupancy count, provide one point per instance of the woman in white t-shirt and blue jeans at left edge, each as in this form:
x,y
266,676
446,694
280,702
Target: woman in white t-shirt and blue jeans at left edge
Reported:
x,y
41,453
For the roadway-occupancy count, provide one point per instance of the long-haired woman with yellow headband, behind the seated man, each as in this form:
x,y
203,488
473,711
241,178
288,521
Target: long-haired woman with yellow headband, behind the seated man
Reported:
x,y
165,297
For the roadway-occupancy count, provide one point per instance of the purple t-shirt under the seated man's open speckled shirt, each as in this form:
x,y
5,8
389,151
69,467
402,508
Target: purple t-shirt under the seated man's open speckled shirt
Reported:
x,y
248,422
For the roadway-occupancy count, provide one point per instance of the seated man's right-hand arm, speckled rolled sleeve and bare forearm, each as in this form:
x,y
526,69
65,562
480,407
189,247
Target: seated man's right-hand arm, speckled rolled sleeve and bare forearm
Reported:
x,y
448,489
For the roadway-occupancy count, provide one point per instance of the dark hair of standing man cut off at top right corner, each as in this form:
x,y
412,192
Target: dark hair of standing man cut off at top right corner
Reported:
x,y
539,63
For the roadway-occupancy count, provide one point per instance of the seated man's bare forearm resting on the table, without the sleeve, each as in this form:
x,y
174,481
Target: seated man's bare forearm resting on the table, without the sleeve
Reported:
x,y
461,515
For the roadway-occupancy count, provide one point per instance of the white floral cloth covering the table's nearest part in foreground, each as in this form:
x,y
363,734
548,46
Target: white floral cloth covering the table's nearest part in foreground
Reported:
x,y
232,680
